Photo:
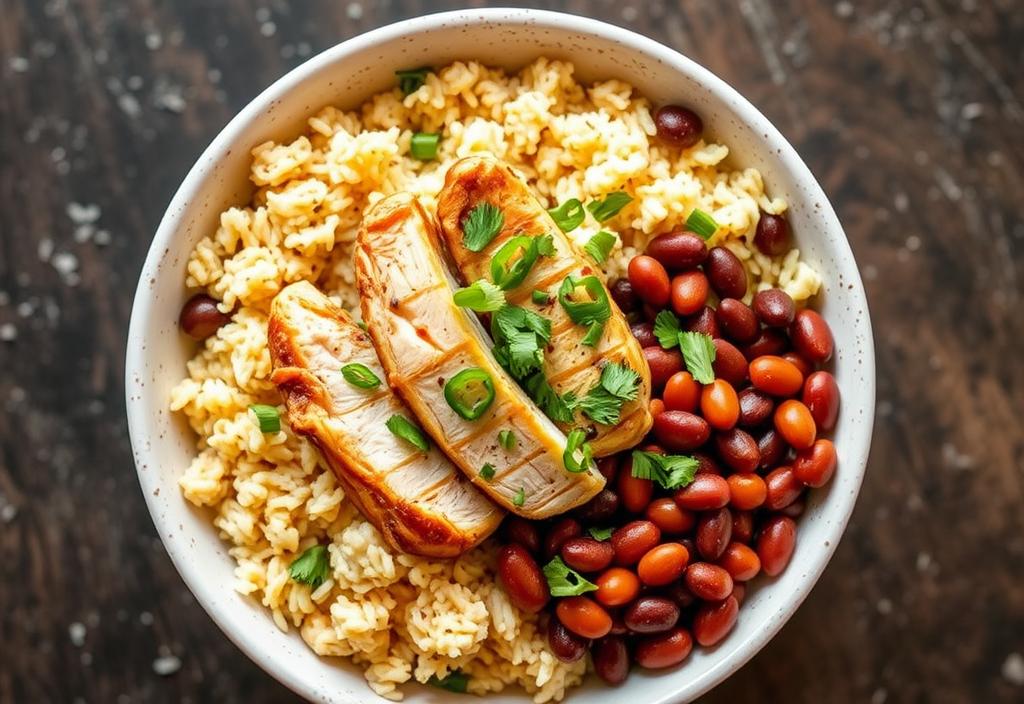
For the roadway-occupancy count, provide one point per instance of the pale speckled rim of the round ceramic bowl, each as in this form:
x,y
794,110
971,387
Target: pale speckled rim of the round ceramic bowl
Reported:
x,y
731,656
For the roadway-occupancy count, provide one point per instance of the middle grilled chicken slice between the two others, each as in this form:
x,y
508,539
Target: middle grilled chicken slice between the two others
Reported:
x,y
424,339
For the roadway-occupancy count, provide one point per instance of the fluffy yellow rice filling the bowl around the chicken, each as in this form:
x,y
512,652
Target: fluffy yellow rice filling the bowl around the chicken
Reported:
x,y
401,618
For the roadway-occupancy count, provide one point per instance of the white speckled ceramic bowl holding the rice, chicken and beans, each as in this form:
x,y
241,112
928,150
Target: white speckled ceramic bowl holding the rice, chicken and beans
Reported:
x,y
346,76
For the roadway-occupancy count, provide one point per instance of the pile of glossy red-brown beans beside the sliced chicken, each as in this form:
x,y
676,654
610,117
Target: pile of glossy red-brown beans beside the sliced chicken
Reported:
x,y
675,567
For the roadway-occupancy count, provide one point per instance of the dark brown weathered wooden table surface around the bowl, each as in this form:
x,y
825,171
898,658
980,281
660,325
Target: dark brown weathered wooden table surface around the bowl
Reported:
x,y
911,113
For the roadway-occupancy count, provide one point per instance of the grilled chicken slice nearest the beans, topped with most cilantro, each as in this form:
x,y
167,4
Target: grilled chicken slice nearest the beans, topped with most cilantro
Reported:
x,y
570,366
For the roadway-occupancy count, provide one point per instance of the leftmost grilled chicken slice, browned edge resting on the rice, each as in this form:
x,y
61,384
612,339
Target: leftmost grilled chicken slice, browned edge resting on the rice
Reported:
x,y
420,502
